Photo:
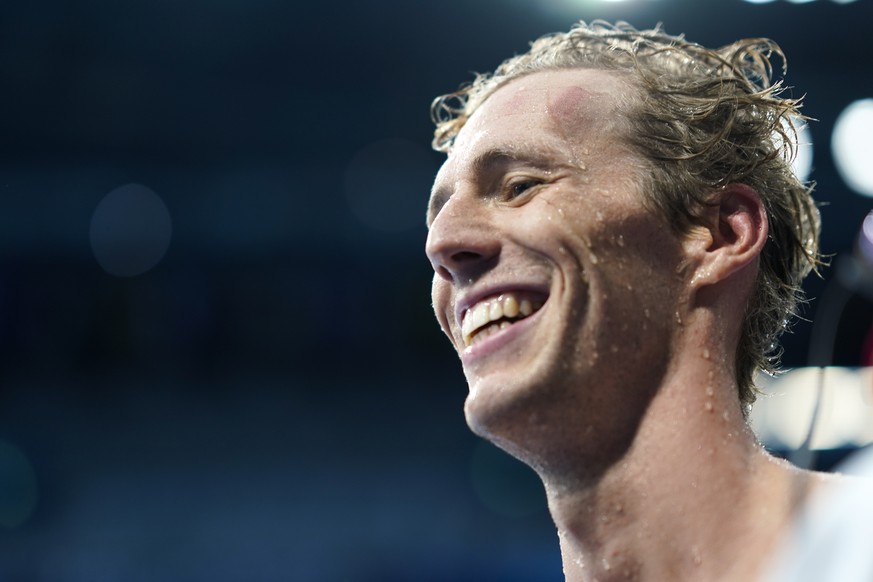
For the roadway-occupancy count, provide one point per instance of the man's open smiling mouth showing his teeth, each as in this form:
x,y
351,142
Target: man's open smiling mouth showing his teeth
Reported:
x,y
491,315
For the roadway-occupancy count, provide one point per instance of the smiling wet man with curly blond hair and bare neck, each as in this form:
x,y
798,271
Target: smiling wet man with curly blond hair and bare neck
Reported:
x,y
618,239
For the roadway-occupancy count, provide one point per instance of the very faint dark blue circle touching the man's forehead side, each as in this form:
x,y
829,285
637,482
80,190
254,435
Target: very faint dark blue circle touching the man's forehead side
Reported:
x,y
388,182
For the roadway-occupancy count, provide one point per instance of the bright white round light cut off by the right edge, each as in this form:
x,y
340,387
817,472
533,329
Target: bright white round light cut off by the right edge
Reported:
x,y
852,144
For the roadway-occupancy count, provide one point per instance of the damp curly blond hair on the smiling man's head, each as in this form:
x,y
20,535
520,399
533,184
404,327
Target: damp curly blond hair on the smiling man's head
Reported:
x,y
703,118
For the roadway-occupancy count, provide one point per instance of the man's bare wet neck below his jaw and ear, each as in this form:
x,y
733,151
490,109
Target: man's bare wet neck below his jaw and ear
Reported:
x,y
693,498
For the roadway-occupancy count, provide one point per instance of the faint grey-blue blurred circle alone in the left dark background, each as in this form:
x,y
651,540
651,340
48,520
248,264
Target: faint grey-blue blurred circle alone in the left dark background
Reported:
x,y
130,230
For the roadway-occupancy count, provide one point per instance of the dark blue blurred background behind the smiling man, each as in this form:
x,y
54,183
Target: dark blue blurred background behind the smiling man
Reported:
x,y
217,356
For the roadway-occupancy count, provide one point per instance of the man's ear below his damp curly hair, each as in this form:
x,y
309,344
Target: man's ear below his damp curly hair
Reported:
x,y
729,237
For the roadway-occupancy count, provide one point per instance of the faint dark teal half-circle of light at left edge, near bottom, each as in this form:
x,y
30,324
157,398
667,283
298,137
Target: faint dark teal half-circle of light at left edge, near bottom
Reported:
x,y
18,489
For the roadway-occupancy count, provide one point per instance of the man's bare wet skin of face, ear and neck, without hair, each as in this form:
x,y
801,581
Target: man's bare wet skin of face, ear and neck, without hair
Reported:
x,y
619,390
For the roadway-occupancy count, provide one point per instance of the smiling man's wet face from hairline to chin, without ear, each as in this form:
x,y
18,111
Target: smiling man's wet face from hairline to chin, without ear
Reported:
x,y
556,286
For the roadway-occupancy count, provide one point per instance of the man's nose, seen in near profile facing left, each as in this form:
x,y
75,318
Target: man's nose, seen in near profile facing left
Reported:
x,y
462,241
